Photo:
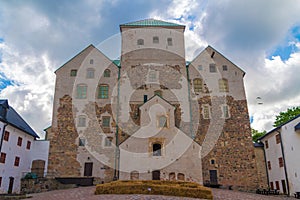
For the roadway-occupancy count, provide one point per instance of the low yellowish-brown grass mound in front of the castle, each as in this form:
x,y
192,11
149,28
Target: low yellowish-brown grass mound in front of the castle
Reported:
x,y
168,188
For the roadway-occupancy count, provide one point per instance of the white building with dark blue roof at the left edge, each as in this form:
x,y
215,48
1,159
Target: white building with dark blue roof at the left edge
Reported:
x,y
20,151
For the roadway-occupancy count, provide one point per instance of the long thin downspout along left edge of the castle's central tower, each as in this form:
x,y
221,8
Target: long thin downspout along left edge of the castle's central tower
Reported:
x,y
117,152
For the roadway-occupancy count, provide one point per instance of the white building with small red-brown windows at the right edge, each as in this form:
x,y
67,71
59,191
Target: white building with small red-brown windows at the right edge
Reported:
x,y
282,147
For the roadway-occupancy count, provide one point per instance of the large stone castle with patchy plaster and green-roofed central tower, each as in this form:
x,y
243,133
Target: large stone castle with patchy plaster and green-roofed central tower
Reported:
x,y
152,114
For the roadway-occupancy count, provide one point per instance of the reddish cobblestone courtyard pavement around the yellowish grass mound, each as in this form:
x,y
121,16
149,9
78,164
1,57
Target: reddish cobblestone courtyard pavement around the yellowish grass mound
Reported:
x,y
87,193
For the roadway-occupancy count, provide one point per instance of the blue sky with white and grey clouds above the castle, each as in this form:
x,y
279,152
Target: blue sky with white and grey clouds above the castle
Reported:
x,y
262,37
